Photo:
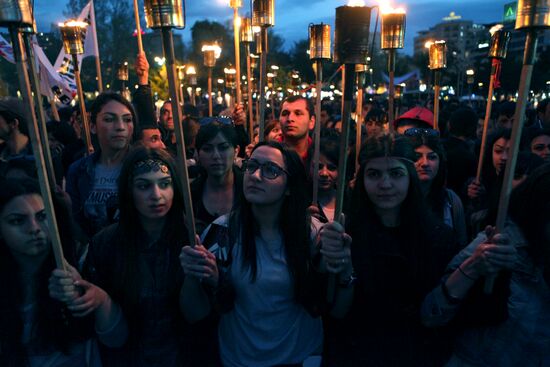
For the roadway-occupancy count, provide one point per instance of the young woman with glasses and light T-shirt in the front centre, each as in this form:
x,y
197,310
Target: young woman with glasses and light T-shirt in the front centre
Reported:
x,y
266,278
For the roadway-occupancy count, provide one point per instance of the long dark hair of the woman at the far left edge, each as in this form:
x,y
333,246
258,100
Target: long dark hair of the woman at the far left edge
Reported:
x,y
52,323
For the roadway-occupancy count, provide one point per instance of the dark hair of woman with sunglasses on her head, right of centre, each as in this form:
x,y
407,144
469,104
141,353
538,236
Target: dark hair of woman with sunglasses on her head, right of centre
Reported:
x,y
437,195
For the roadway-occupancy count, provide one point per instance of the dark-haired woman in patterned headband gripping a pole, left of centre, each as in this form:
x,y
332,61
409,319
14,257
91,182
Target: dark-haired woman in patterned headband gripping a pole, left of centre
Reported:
x,y
133,277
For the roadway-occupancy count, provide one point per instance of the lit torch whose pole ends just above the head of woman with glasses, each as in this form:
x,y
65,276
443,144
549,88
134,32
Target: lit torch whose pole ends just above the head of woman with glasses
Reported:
x,y
263,16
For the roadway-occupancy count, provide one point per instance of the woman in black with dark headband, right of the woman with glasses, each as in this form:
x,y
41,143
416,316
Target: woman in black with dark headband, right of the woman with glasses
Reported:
x,y
399,253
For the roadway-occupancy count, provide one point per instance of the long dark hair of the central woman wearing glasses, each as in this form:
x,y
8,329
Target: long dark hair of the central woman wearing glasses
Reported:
x,y
294,224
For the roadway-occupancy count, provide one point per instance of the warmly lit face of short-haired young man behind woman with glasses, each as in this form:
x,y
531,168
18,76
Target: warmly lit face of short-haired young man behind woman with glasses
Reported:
x,y
296,120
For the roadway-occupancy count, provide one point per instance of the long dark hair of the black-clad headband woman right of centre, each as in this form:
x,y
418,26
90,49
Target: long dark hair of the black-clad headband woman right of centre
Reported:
x,y
416,222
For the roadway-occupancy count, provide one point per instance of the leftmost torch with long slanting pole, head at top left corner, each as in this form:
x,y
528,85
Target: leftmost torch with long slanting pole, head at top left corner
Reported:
x,y
14,15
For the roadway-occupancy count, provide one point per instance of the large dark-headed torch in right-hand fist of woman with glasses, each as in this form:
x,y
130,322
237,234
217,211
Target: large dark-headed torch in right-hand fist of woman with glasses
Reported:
x,y
351,44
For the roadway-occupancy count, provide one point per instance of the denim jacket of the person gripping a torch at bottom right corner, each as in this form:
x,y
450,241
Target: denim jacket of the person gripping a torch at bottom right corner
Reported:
x,y
523,339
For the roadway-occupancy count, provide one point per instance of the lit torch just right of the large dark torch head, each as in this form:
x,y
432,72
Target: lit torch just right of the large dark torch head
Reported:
x,y
392,38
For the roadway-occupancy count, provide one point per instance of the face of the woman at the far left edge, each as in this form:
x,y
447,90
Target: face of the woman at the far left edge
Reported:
x,y
24,228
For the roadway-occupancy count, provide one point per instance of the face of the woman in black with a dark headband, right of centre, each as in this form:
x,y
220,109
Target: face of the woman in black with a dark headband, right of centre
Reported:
x,y
386,182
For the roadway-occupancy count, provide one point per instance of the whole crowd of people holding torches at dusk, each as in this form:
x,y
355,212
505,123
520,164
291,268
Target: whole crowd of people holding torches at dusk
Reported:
x,y
274,278
